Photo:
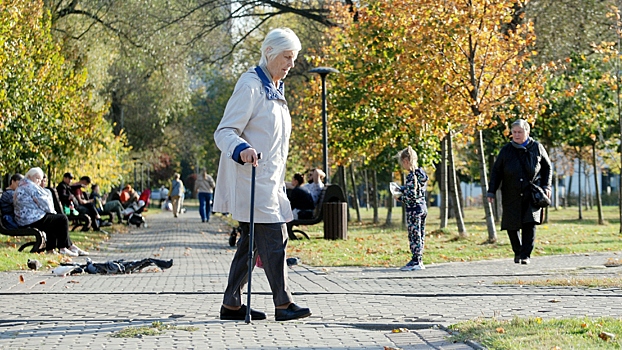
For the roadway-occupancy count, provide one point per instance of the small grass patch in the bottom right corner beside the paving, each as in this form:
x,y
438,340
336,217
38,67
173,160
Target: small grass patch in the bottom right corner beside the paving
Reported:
x,y
535,333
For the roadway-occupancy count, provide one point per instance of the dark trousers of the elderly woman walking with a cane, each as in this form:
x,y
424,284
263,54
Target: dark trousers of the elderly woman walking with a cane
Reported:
x,y
270,243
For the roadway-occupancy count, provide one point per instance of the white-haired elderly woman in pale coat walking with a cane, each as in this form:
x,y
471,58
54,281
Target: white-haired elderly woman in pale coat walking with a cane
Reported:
x,y
257,120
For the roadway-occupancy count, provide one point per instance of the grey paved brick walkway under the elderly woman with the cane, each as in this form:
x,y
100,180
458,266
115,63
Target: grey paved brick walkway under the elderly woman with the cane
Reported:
x,y
353,308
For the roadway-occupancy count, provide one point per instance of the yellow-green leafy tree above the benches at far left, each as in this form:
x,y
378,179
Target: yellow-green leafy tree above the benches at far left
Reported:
x,y
46,118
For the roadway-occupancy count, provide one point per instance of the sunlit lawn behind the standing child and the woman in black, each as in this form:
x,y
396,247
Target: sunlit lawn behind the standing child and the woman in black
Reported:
x,y
371,244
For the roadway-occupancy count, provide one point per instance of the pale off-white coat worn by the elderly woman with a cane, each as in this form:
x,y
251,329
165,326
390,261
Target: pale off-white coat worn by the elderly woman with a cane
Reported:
x,y
265,124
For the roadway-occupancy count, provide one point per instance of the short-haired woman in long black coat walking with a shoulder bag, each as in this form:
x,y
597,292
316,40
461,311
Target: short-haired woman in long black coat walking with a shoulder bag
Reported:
x,y
518,162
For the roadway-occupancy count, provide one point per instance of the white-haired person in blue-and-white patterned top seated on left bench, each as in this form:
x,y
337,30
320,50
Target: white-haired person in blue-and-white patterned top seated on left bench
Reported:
x,y
34,208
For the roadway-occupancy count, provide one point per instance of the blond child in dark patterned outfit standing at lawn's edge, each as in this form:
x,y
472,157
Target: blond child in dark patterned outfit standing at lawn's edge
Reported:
x,y
414,201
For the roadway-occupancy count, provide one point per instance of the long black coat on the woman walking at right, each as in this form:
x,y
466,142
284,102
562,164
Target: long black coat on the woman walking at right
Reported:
x,y
508,173
